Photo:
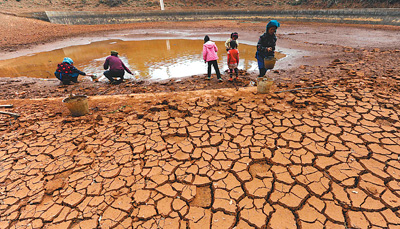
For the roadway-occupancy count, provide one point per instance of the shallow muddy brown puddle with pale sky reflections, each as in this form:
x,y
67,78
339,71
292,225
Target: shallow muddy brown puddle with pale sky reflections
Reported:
x,y
148,59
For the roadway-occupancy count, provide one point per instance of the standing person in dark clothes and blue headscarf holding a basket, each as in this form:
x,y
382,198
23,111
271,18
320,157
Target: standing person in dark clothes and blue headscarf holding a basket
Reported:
x,y
266,45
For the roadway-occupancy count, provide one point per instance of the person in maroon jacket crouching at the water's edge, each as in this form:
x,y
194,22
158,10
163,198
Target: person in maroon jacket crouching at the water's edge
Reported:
x,y
116,68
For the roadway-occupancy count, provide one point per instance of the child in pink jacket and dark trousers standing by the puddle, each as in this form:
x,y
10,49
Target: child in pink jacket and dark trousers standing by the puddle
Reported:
x,y
210,56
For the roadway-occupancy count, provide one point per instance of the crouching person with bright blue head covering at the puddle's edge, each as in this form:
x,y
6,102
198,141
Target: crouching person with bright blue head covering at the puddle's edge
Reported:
x,y
66,72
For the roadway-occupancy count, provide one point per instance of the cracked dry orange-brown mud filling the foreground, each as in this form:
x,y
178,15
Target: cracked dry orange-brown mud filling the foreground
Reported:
x,y
322,158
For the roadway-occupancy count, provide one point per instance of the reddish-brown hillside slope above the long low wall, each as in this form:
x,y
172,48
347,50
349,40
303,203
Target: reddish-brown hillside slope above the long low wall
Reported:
x,y
20,6
